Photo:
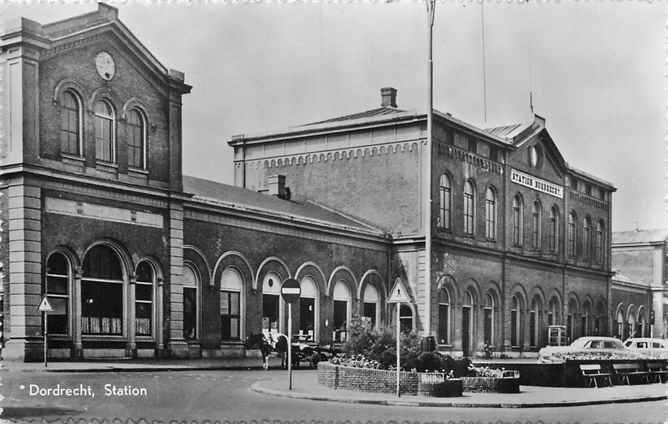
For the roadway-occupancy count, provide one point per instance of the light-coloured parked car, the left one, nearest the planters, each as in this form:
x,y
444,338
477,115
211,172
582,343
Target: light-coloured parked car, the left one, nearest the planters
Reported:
x,y
588,348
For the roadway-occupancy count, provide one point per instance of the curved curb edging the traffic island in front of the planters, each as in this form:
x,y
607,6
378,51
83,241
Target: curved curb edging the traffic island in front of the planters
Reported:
x,y
257,388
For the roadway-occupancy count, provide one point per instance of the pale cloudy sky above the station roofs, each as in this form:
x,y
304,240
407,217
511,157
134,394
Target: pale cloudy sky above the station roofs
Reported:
x,y
596,70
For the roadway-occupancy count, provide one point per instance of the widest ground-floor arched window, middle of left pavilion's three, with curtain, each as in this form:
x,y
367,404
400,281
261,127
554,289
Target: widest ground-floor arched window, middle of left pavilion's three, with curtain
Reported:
x,y
102,292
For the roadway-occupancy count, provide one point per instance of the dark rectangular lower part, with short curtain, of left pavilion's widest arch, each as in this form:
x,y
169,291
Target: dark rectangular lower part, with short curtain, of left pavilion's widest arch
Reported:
x,y
102,308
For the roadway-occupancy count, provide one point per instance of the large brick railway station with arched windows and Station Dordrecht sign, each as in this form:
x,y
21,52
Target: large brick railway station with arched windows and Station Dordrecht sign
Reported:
x,y
139,260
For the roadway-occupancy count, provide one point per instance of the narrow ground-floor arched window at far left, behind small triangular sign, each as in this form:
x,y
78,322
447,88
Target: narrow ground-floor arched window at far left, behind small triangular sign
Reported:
x,y
57,290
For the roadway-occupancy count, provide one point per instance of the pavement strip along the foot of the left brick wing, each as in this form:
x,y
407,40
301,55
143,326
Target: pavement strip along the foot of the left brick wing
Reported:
x,y
139,365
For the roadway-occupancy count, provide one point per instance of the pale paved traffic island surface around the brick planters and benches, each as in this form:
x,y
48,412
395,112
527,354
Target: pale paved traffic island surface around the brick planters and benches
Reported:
x,y
305,386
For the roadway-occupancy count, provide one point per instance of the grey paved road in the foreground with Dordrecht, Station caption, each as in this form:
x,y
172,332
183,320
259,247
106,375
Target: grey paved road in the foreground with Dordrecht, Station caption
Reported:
x,y
225,395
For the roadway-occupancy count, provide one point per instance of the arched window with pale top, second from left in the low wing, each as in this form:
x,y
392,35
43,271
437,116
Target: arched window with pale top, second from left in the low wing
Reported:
x,y
231,289
